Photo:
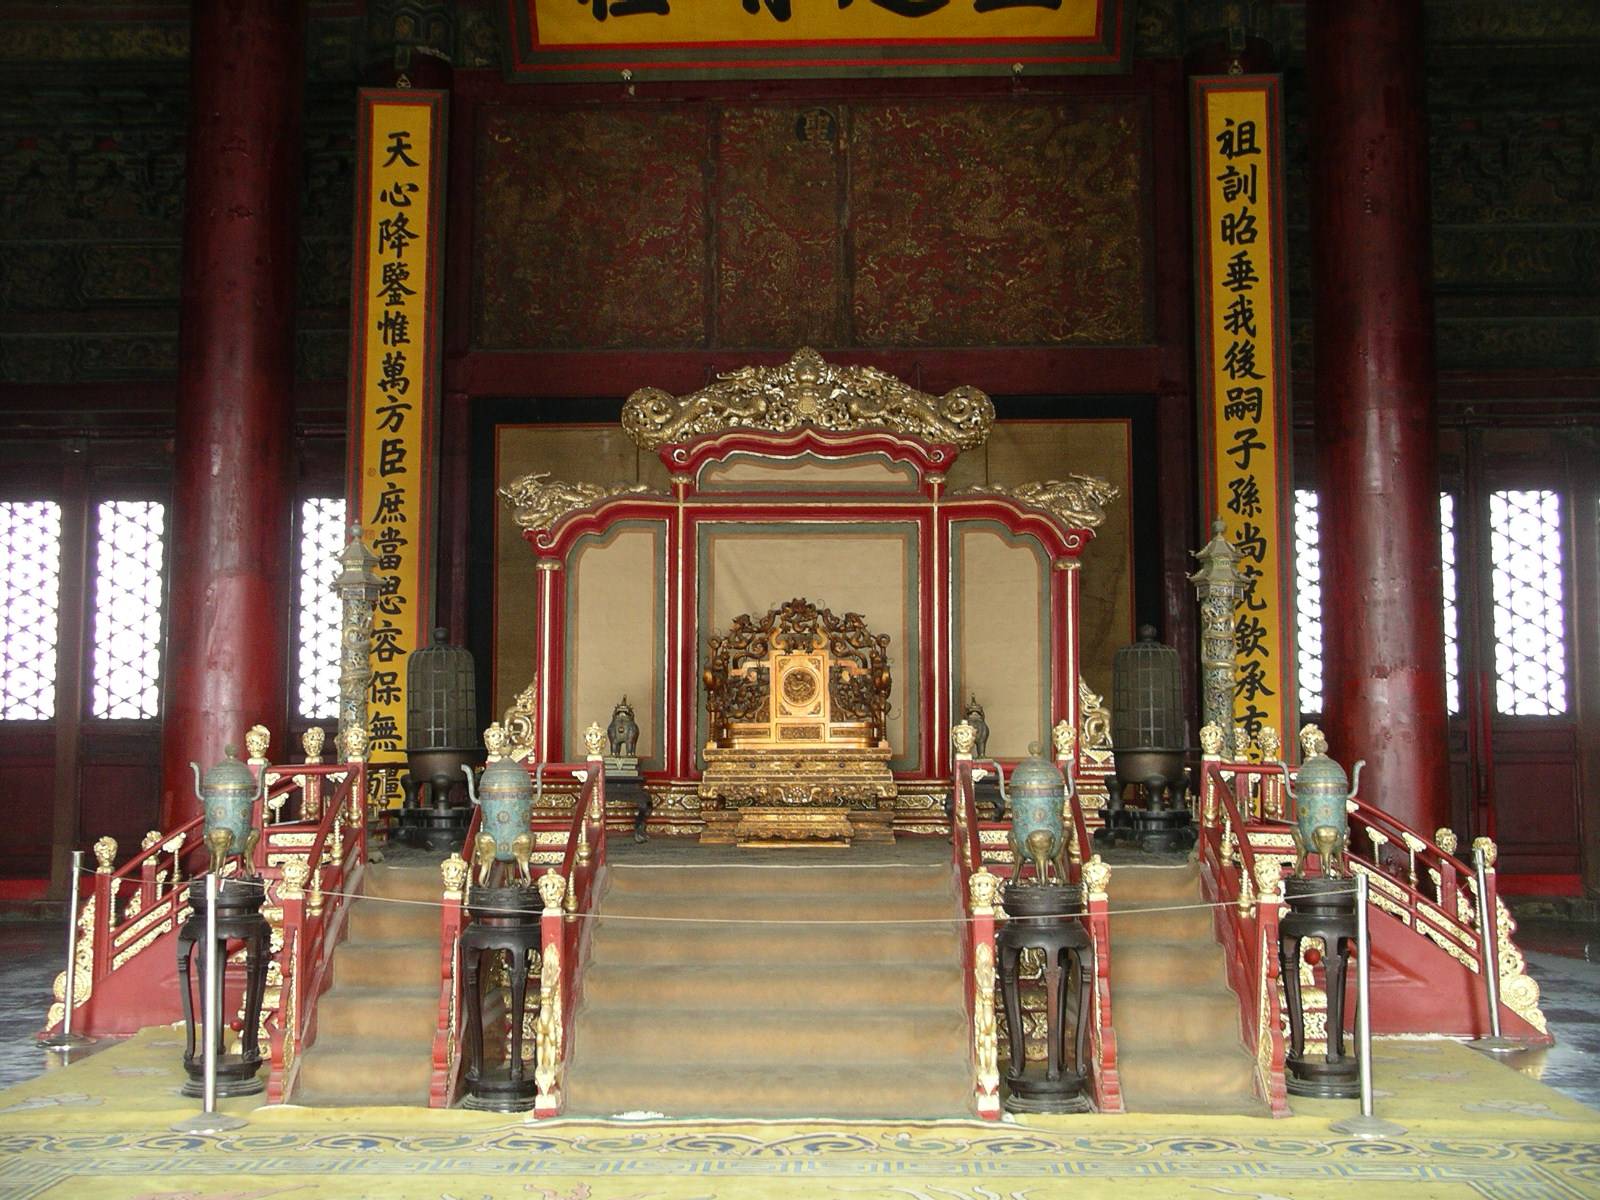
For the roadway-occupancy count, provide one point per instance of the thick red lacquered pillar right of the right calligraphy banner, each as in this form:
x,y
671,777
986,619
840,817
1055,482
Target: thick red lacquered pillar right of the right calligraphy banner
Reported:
x,y
1377,428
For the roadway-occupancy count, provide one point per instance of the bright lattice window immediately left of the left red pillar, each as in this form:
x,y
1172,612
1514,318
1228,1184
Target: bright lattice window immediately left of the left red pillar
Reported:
x,y
129,553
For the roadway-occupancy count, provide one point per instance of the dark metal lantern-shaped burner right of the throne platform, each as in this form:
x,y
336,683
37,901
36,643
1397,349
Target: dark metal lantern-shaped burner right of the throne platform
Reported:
x,y
1148,748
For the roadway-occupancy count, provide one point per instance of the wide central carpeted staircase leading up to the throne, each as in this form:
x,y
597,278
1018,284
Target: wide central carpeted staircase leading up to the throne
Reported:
x,y
734,1020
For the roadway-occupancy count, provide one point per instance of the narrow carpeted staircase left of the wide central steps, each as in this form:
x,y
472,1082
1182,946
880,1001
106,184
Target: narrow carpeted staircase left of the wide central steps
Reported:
x,y
375,1026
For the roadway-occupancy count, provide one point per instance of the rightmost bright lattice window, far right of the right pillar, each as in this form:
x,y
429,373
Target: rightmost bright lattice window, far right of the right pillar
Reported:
x,y
1530,628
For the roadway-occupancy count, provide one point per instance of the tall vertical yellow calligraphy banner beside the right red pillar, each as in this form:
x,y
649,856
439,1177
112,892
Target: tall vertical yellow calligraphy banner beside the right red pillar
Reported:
x,y
1244,375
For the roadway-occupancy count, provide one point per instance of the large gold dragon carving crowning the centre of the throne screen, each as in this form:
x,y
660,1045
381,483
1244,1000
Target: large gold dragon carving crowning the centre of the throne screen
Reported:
x,y
809,391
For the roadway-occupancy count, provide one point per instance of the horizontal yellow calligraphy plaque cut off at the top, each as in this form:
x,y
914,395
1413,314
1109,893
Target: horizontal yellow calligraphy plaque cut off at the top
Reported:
x,y
751,39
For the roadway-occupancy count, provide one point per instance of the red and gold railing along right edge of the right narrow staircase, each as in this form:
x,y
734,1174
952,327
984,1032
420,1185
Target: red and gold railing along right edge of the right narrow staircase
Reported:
x,y
1247,924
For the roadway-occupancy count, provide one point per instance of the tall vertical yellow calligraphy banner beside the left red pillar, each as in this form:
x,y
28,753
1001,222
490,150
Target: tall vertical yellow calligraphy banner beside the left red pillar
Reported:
x,y
394,383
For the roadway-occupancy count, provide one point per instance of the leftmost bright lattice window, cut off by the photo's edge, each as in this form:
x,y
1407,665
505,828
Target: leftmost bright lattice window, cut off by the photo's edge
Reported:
x,y
30,598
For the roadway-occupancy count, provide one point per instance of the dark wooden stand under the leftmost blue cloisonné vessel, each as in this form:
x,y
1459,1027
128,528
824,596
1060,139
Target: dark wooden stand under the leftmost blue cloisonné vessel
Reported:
x,y
238,921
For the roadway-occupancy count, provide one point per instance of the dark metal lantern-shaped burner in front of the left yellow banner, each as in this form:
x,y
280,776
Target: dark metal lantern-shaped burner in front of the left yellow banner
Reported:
x,y
441,738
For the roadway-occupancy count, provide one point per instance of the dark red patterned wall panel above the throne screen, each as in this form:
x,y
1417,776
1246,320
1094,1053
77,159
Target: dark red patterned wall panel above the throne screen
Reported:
x,y
921,223
